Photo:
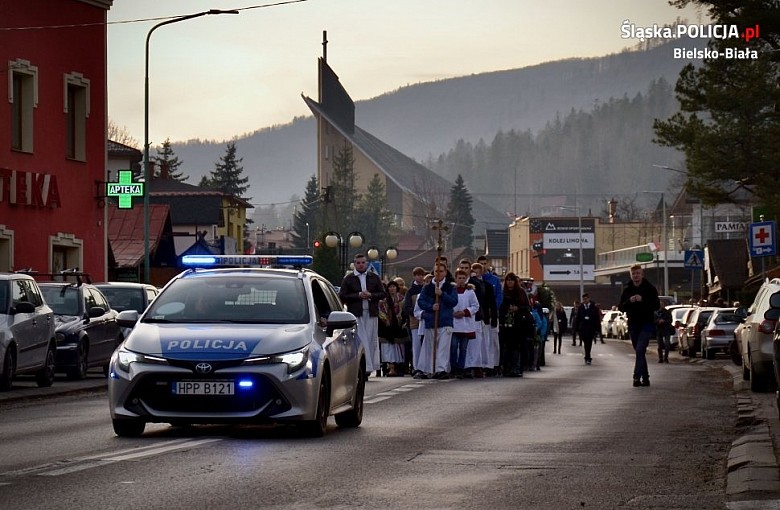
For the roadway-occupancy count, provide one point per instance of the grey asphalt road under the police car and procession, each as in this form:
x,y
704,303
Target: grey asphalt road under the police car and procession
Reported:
x,y
569,436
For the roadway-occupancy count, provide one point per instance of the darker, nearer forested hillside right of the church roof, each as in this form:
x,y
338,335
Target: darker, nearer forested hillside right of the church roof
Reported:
x,y
606,152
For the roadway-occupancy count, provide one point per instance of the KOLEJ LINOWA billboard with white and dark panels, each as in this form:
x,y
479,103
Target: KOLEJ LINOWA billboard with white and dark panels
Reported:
x,y
561,240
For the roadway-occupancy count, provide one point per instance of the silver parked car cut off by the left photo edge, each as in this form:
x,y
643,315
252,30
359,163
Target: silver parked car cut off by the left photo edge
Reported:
x,y
27,344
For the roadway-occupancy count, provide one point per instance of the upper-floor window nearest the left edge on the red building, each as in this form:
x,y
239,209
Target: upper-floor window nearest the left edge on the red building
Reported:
x,y
23,96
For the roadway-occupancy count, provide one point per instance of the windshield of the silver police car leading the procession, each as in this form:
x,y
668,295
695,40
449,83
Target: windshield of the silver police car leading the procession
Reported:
x,y
239,299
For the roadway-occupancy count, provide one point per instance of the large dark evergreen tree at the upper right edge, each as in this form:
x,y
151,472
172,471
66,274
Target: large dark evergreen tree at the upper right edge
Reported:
x,y
728,126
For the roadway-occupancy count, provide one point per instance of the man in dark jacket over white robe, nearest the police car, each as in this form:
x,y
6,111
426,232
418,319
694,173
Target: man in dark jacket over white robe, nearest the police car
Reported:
x,y
361,290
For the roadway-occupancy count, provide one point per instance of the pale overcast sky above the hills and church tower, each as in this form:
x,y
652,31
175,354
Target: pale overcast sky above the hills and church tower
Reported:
x,y
217,77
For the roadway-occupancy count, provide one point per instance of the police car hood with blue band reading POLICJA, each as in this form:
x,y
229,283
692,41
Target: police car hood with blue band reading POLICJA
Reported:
x,y
216,342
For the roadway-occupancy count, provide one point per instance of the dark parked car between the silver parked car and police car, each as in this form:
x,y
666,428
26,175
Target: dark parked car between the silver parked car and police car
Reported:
x,y
86,328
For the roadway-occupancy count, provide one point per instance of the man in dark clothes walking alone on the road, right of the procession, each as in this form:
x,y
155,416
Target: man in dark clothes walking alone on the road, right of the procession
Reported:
x,y
639,301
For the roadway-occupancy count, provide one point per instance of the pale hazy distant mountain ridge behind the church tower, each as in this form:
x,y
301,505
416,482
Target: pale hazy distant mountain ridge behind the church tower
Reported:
x,y
426,120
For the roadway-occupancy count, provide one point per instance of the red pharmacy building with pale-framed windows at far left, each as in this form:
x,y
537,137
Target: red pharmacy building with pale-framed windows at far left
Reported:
x,y
53,135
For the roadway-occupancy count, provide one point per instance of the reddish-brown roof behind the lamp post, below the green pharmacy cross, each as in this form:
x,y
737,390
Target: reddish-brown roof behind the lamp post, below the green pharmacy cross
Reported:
x,y
126,232
